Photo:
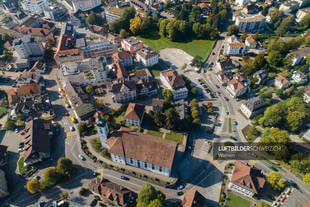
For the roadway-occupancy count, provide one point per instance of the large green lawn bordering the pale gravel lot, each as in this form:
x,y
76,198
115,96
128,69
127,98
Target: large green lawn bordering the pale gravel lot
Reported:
x,y
193,47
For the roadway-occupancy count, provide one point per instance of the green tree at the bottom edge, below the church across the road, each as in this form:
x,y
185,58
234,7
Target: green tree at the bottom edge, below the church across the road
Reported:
x,y
148,194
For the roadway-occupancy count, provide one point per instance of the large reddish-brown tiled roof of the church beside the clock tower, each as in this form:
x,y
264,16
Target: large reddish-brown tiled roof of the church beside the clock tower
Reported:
x,y
147,148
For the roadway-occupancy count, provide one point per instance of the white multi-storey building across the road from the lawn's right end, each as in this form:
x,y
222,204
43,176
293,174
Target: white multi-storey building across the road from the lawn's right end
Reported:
x,y
235,47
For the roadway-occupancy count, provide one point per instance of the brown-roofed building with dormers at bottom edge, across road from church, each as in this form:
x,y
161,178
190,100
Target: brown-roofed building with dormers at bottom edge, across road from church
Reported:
x,y
112,193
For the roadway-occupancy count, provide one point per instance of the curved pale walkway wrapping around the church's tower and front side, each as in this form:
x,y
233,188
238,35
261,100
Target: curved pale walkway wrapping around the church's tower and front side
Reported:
x,y
127,167
